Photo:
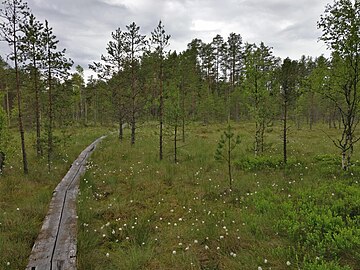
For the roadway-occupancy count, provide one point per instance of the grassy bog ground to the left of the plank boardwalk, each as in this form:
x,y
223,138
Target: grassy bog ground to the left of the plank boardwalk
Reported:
x,y
24,199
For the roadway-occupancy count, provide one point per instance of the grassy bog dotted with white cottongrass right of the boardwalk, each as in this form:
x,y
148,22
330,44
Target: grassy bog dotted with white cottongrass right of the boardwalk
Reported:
x,y
138,213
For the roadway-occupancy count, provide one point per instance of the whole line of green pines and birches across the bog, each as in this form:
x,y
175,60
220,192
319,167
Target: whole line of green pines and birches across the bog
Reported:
x,y
140,79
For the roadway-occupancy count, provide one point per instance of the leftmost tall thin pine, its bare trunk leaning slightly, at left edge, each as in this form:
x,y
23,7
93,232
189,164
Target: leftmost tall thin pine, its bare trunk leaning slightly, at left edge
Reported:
x,y
15,14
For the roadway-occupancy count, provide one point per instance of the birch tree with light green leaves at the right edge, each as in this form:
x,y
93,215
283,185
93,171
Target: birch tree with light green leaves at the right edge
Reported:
x,y
340,25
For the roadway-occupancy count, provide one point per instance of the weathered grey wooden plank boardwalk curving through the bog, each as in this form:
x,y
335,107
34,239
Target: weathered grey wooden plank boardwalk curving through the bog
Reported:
x,y
55,247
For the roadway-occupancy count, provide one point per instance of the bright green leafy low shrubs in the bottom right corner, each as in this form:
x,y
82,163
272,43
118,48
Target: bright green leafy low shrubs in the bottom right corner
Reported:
x,y
326,223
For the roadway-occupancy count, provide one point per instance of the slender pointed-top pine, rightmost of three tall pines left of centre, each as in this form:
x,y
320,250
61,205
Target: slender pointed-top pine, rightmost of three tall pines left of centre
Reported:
x,y
160,40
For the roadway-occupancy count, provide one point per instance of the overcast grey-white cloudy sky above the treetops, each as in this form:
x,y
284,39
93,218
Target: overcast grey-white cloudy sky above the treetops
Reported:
x,y
84,26
